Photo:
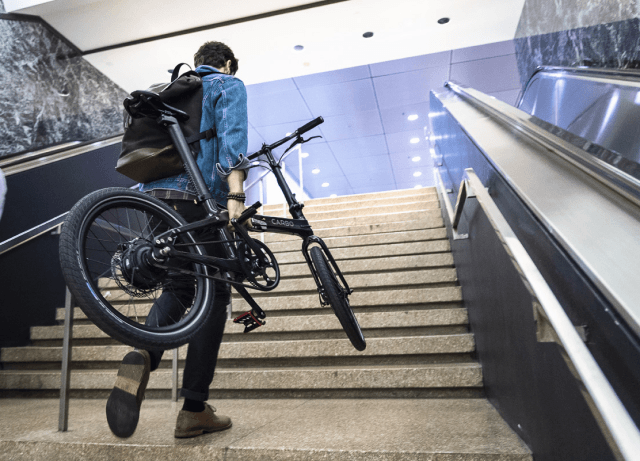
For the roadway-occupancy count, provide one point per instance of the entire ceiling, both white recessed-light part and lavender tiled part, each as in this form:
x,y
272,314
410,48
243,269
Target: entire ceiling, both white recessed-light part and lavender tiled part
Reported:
x,y
365,88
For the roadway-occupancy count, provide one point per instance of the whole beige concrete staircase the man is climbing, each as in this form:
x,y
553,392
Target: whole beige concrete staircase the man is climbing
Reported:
x,y
394,252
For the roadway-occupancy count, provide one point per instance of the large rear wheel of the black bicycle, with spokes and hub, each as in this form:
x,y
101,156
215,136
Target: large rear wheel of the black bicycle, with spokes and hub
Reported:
x,y
106,249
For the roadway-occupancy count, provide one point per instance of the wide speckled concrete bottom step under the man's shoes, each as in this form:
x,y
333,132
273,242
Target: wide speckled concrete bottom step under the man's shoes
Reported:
x,y
270,429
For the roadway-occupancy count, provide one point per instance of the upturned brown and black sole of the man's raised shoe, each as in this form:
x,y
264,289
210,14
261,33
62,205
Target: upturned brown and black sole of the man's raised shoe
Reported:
x,y
123,405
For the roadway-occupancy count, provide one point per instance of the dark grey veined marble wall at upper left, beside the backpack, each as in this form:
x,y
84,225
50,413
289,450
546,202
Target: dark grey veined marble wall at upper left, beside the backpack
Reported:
x,y
48,94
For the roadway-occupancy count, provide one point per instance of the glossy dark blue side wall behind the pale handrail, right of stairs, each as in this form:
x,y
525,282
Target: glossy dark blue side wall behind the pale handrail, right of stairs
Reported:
x,y
529,382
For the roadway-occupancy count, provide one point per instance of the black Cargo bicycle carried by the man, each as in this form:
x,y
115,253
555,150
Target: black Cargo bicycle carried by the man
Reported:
x,y
120,246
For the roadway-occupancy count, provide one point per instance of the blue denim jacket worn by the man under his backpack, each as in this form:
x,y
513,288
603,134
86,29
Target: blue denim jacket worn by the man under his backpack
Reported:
x,y
224,106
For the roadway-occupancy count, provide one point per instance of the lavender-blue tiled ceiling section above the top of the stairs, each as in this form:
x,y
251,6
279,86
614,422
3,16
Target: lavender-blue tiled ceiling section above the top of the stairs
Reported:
x,y
368,143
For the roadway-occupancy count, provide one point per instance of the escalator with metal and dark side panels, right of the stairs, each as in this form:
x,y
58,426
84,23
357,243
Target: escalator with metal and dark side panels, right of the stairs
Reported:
x,y
550,197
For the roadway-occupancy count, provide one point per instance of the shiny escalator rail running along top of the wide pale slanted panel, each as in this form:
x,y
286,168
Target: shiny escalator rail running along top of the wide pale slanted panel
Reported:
x,y
607,174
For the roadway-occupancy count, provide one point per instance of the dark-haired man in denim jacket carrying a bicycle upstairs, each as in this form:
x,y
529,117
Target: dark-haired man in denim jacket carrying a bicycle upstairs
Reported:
x,y
223,165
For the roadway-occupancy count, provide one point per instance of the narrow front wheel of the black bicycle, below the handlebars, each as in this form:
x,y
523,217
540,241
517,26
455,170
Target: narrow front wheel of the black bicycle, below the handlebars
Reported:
x,y
333,293
